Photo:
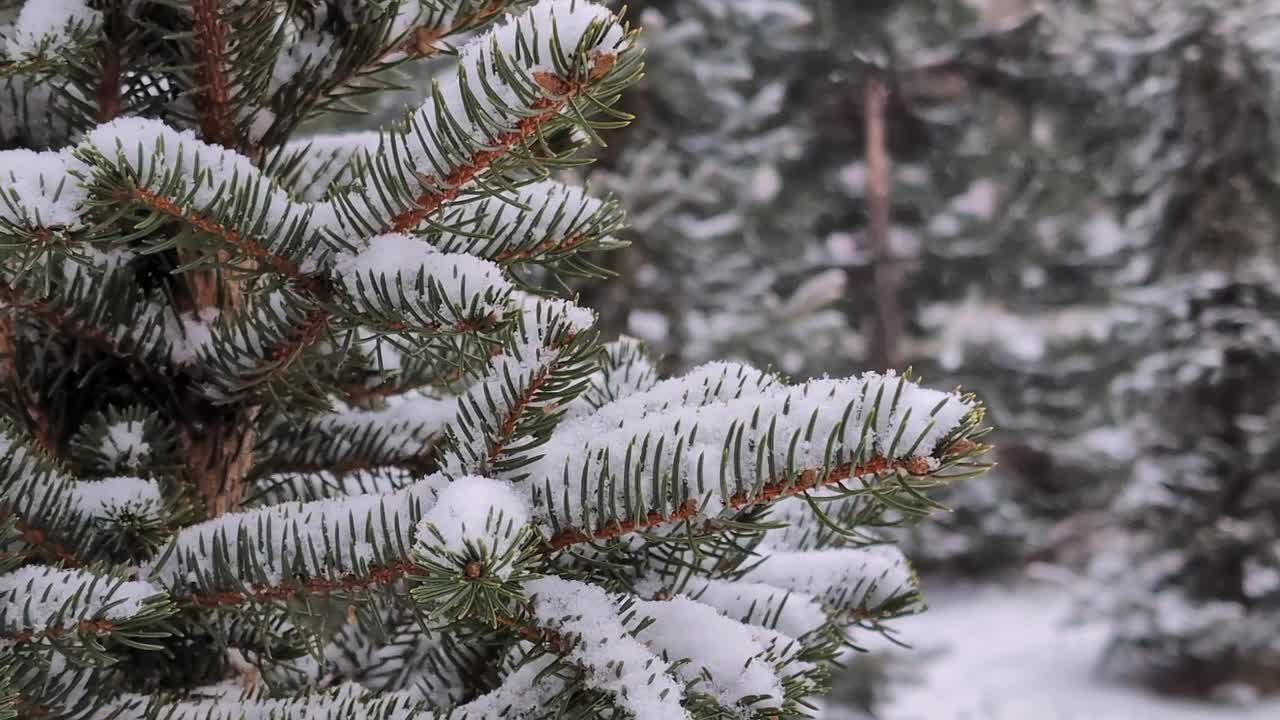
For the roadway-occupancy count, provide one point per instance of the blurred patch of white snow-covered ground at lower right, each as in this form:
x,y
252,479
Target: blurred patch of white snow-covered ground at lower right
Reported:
x,y
994,653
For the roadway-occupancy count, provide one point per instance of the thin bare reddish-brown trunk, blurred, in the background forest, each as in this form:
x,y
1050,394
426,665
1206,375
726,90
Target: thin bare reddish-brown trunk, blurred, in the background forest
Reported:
x,y
888,338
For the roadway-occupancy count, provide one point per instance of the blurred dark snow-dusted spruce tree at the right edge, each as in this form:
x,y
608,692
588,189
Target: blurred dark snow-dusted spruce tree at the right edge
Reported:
x,y
1186,148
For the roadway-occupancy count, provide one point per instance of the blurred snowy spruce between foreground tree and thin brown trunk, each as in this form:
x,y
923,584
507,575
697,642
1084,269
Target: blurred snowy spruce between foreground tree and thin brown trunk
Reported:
x,y
732,268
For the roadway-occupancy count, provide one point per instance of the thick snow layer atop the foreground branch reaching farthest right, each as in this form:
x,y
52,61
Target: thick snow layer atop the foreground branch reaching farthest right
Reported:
x,y
802,420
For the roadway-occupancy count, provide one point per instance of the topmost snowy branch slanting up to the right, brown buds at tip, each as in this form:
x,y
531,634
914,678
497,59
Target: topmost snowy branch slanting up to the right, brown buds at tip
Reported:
x,y
511,84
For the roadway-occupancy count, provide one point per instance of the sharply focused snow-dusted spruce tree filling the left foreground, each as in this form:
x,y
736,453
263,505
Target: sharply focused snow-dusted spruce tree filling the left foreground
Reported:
x,y
295,426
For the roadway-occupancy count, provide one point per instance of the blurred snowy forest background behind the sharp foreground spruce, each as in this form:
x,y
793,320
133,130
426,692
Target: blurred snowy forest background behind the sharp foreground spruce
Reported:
x,y
1068,207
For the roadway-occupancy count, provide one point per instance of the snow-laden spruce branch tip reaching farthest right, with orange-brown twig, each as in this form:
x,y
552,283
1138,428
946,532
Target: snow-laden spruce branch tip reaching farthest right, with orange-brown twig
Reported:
x,y
598,477
